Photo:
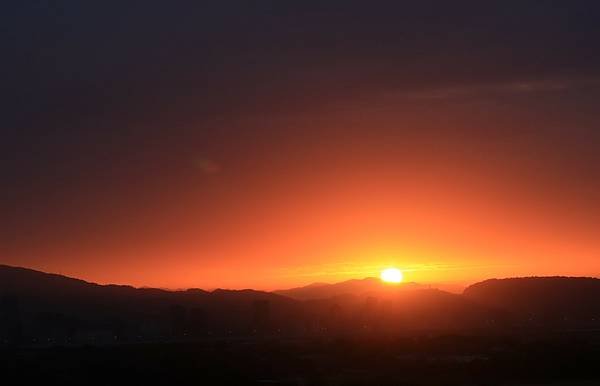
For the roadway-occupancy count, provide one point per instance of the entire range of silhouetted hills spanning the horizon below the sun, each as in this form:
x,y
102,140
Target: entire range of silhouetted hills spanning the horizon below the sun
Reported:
x,y
45,309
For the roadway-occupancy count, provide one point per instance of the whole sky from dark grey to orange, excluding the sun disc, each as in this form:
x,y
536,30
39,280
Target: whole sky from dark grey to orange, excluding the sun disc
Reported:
x,y
270,144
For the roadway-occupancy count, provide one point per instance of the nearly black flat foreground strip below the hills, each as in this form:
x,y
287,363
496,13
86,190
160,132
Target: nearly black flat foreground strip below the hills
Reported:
x,y
564,359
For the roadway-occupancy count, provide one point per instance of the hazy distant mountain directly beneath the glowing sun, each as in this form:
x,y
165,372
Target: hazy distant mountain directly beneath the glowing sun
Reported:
x,y
358,287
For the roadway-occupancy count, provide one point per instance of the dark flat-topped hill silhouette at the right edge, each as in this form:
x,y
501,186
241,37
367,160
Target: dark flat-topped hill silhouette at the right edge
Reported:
x,y
543,300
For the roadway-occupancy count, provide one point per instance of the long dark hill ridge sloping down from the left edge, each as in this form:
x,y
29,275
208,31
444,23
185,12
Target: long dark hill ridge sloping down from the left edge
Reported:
x,y
60,308
